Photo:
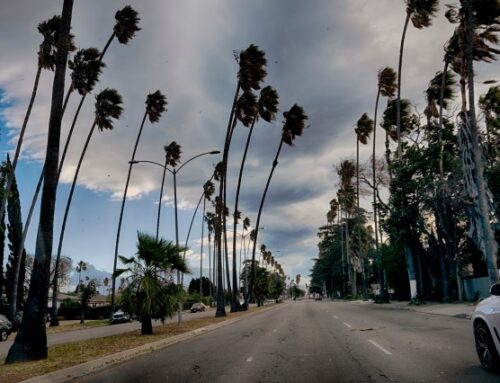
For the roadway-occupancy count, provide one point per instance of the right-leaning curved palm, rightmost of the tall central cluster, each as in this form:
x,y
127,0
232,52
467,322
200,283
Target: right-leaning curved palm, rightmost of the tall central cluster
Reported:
x,y
293,127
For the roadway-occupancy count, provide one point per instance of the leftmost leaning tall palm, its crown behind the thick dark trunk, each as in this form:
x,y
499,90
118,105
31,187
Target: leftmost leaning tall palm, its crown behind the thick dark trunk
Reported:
x,y
50,30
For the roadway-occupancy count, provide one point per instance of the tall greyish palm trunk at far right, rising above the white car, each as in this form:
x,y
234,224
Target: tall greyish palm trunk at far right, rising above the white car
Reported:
x,y
490,246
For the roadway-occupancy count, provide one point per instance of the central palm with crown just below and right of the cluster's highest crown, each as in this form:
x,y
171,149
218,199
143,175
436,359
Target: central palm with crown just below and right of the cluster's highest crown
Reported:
x,y
266,108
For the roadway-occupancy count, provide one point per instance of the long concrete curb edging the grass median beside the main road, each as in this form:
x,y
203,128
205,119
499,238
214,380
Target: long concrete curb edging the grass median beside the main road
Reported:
x,y
80,370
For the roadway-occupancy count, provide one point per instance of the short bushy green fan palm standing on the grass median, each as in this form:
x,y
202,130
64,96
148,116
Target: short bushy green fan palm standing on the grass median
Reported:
x,y
149,295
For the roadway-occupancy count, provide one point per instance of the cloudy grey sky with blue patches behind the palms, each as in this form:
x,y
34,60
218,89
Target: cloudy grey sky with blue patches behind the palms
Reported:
x,y
323,55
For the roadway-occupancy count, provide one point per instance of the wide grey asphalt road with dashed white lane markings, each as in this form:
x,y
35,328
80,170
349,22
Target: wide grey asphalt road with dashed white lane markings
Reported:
x,y
308,341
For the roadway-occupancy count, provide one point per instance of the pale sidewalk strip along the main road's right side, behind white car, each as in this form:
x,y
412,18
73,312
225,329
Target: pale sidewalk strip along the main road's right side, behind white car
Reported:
x,y
456,310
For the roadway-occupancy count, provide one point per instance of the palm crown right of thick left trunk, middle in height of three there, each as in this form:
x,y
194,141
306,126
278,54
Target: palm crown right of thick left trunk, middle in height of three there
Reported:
x,y
86,67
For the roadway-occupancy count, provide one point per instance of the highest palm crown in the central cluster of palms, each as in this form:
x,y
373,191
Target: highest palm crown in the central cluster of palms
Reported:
x,y
252,68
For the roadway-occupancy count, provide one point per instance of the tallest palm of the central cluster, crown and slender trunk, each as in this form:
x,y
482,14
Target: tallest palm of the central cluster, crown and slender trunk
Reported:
x,y
252,71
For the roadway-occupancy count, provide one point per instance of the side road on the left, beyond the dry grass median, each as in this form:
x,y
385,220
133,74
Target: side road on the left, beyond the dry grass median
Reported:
x,y
102,331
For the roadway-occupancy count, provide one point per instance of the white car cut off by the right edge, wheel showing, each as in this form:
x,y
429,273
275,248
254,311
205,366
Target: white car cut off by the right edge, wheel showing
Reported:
x,y
486,324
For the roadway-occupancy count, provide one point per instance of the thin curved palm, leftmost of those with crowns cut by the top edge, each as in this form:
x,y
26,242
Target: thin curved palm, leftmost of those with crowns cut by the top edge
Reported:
x,y
420,13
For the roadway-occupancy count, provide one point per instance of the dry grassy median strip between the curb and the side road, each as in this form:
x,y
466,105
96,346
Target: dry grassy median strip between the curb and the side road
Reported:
x,y
71,354
